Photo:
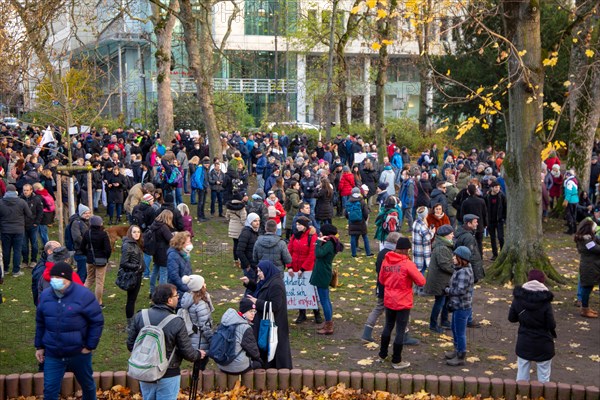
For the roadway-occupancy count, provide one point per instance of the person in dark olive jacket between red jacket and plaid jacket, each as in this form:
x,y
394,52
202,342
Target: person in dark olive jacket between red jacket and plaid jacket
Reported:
x,y
441,268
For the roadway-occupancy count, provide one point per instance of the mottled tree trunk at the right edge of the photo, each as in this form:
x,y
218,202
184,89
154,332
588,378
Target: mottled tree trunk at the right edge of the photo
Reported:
x,y
584,96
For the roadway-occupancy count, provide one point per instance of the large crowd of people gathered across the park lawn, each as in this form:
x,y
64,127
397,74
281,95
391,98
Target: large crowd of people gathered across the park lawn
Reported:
x,y
450,202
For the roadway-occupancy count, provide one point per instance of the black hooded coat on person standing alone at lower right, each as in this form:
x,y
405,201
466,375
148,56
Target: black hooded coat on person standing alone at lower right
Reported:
x,y
533,311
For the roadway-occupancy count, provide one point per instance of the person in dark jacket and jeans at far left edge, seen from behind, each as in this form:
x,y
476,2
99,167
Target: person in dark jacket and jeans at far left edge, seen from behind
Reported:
x,y
13,213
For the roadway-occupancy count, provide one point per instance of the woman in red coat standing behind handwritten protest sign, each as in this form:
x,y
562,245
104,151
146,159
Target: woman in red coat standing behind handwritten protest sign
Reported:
x,y
302,249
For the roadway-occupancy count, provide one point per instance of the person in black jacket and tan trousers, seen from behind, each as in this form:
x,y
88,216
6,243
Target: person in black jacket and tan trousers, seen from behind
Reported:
x,y
97,248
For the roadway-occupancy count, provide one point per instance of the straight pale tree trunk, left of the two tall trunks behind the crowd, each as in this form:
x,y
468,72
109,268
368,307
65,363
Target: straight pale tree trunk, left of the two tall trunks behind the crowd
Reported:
x,y
164,22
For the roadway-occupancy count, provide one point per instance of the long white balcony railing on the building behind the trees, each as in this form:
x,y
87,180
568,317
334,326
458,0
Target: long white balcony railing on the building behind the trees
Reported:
x,y
236,85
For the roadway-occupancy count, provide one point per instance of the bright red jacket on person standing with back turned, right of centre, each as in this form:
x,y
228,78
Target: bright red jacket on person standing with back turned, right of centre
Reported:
x,y
397,275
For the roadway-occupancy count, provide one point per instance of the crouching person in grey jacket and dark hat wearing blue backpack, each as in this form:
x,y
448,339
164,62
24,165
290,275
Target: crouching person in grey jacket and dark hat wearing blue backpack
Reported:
x,y
246,347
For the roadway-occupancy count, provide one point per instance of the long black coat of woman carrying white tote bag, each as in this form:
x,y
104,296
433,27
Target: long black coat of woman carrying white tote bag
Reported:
x,y
274,291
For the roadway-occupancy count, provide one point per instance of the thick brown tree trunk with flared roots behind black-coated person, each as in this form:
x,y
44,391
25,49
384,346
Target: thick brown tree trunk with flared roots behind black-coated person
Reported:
x,y
523,249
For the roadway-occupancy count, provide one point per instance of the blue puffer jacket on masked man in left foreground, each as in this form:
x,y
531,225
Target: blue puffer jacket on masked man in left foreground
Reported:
x,y
64,326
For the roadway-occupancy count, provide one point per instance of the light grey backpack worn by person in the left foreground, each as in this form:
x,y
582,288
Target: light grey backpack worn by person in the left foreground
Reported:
x,y
148,361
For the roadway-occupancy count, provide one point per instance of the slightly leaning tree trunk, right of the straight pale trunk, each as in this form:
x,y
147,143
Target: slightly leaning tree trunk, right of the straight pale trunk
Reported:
x,y
197,36
